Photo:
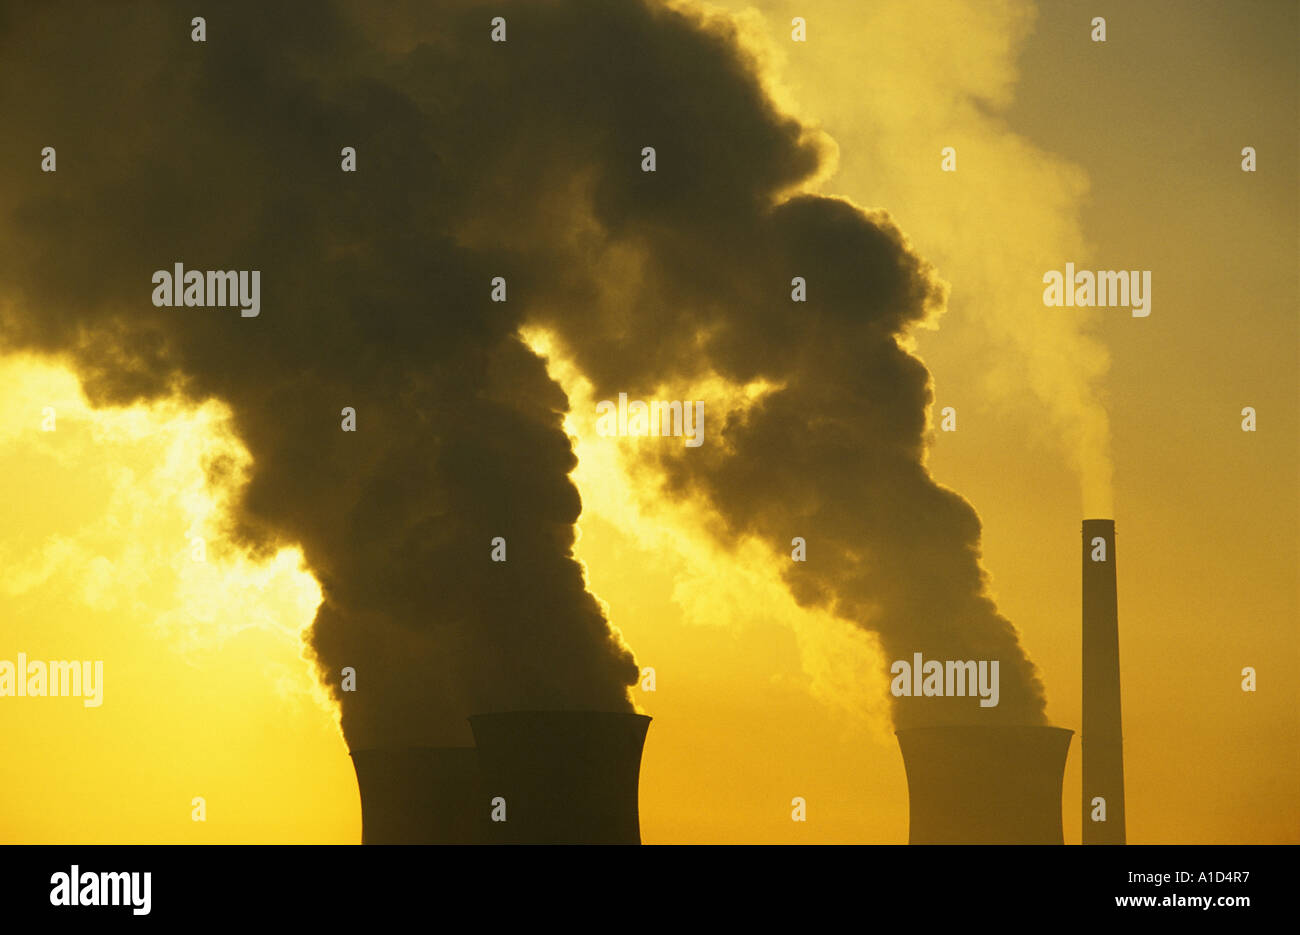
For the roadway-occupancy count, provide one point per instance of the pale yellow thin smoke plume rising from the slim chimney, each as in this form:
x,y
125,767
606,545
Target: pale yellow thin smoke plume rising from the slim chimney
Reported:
x,y
960,64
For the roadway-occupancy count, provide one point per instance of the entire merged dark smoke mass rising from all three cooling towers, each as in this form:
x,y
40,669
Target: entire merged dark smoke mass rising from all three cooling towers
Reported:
x,y
480,159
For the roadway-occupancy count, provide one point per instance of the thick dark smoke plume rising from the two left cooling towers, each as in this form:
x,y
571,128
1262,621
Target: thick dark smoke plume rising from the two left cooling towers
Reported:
x,y
226,155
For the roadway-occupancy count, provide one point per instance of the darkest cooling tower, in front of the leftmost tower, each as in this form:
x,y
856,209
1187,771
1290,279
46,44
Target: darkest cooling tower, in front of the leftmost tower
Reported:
x,y
565,777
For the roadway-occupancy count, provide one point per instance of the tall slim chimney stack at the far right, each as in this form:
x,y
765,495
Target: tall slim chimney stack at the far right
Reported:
x,y
1103,735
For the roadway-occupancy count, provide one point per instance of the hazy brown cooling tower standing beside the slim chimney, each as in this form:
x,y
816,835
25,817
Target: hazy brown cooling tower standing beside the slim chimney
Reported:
x,y
998,785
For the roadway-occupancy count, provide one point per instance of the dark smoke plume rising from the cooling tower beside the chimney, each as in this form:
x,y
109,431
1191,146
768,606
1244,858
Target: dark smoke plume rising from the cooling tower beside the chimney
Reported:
x,y
687,272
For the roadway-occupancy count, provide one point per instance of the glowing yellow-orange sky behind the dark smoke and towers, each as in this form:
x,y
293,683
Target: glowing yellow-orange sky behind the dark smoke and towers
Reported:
x,y
1115,157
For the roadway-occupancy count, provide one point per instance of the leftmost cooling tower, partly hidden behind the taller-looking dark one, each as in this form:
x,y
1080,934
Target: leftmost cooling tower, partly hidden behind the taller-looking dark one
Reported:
x,y
427,795
